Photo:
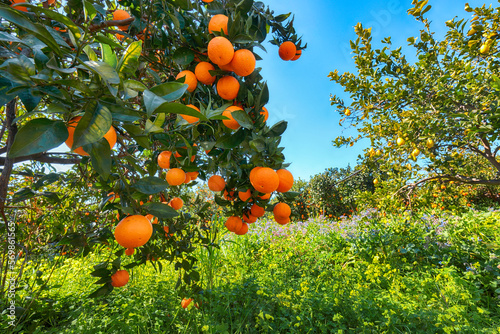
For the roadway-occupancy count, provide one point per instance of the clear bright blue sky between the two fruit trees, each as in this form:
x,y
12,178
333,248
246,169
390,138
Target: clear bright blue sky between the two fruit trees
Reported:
x,y
300,90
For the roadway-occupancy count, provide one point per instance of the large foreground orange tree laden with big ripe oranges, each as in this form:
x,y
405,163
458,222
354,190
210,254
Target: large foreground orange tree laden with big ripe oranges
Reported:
x,y
152,78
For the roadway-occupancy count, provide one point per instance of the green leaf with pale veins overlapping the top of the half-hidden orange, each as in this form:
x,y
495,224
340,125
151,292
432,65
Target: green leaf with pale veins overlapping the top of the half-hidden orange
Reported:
x,y
92,126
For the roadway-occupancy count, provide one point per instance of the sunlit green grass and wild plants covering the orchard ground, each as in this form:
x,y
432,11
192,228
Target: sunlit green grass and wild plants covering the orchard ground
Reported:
x,y
366,274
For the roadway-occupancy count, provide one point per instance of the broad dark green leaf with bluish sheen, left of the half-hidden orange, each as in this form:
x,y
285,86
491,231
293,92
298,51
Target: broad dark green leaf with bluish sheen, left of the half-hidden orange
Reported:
x,y
38,135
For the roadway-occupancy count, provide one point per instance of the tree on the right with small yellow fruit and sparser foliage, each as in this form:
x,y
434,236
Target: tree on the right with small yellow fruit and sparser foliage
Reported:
x,y
434,118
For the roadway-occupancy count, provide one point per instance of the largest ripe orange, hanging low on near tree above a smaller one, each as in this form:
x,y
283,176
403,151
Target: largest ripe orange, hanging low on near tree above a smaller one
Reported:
x,y
133,231
